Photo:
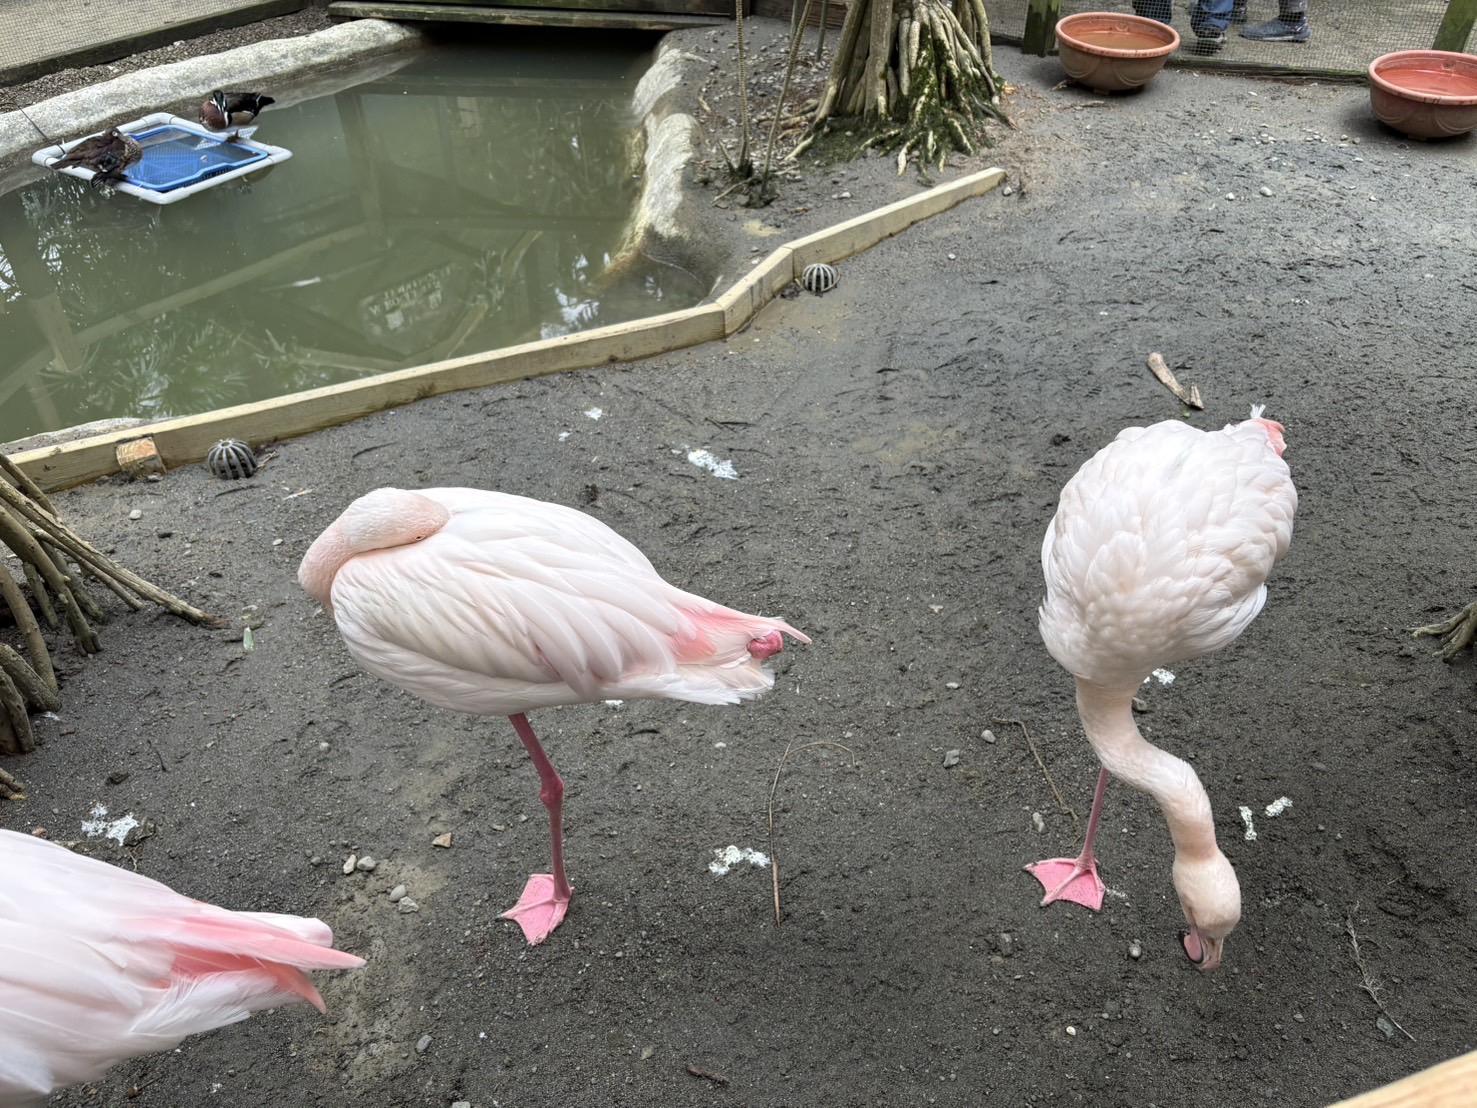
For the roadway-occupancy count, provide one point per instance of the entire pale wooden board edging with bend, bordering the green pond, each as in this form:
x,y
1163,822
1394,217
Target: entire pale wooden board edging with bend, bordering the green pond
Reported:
x,y
187,440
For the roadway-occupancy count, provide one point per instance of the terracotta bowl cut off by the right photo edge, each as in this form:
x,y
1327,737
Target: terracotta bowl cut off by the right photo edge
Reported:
x,y
1426,94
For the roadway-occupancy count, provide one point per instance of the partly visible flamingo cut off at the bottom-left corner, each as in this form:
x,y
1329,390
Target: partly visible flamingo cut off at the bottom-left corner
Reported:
x,y
100,965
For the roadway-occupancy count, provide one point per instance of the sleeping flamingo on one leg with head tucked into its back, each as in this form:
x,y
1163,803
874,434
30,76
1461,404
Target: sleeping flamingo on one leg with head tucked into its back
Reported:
x,y
496,605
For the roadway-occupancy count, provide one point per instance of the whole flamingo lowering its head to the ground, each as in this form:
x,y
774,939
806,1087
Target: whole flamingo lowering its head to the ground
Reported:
x,y
1159,553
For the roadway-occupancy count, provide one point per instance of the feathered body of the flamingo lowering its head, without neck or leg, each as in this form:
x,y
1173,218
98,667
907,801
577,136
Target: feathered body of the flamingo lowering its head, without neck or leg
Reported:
x,y
1162,547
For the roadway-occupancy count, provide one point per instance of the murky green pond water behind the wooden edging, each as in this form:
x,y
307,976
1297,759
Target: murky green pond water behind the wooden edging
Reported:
x,y
469,202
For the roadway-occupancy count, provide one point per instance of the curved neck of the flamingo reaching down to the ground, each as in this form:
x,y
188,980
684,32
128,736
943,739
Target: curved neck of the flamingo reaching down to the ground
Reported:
x,y
1108,720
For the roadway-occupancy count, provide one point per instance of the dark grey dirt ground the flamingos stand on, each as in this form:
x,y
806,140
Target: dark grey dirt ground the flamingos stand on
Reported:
x,y
899,450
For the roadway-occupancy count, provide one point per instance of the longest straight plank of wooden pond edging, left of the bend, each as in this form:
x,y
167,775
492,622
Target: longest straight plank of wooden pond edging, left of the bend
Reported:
x,y
187,440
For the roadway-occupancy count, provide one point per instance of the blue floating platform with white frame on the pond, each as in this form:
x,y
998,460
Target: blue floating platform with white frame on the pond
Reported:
x,y
179,159
